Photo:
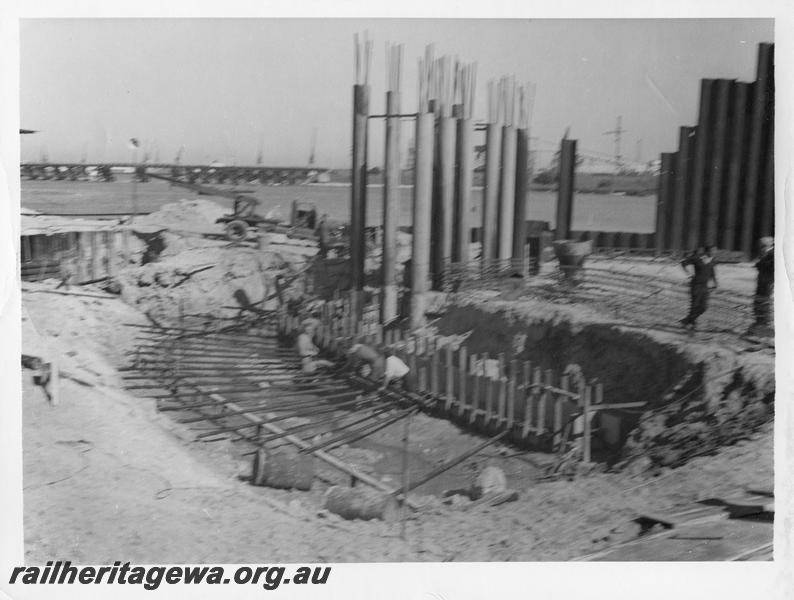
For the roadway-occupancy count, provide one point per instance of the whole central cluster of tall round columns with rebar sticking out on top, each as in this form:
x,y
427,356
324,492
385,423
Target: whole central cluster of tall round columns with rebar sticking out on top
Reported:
x,y
443,171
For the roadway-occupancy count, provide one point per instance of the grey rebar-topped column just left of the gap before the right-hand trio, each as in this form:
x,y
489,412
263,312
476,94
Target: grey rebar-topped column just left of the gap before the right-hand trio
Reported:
x,y
464,156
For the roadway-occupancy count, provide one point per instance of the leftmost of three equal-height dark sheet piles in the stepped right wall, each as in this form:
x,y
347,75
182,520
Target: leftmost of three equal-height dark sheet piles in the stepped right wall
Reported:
x,y
702,142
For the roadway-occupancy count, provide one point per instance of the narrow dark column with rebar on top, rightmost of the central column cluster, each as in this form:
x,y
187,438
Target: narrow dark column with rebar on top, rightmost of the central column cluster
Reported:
x,y
526,100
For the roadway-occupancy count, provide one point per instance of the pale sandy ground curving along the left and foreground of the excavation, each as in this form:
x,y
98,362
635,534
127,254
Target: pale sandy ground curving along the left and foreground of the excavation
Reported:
x,y
106,477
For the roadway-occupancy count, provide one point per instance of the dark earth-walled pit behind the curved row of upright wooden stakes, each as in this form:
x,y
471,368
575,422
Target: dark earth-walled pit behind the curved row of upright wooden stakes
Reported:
x,y
693,399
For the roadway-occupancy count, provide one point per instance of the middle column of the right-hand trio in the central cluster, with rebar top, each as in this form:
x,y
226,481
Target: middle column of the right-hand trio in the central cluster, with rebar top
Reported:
x,y
508,171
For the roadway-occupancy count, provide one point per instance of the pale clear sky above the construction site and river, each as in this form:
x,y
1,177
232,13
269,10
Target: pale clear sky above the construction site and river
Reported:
x,y
220,88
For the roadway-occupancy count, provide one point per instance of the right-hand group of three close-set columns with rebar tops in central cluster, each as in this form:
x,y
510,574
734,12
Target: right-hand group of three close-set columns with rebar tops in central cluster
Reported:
x,y
503,211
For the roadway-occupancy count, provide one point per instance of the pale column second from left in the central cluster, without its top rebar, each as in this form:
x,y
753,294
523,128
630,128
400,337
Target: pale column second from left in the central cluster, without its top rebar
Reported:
x,y
391,208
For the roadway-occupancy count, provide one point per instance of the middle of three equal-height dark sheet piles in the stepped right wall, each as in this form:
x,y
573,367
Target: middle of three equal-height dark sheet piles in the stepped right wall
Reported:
x,y
718,143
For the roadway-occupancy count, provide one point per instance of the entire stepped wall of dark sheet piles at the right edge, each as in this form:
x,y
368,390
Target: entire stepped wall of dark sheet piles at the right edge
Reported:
x,y
718,188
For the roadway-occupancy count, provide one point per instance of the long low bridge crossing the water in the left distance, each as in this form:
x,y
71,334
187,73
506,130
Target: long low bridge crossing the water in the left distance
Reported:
x,y
63,171
